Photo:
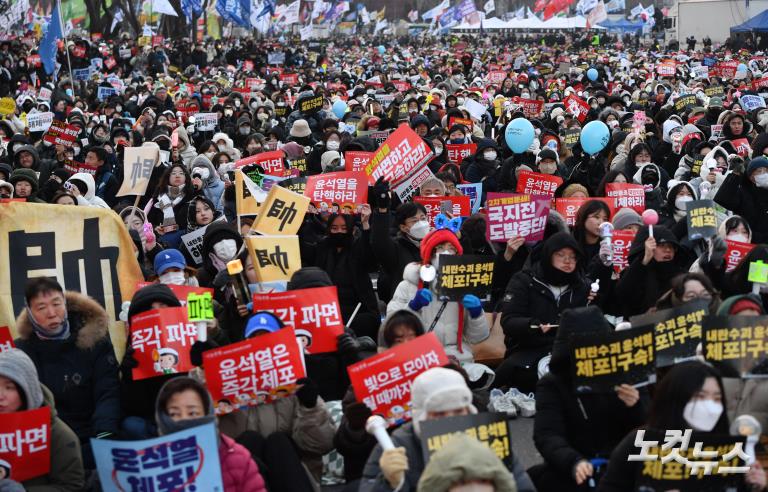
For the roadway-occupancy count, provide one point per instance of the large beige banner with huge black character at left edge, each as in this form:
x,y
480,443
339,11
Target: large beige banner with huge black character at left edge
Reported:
x,y
92,254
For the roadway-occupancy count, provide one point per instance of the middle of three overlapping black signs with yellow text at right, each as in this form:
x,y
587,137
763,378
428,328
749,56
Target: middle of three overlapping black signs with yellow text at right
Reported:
x,y
676,331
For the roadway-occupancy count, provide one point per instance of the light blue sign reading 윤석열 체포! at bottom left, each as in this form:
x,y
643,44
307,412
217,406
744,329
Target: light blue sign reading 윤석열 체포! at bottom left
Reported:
x,y
184,460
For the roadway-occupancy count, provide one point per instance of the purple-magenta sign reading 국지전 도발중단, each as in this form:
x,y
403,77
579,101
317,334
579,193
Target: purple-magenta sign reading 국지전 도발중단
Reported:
x,y
512,215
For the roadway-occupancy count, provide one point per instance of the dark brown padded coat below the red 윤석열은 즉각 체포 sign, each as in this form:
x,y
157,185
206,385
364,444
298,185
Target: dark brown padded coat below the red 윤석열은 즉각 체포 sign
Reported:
x,y
311,429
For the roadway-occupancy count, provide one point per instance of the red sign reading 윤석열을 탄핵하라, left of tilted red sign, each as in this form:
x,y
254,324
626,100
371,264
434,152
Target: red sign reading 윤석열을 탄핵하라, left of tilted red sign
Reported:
x,y
347,188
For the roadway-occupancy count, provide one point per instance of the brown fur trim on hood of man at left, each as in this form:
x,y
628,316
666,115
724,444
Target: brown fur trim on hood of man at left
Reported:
x,y
88,321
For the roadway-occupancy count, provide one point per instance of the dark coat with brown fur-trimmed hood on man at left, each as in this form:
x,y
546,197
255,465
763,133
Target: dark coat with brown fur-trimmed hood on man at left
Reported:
x,y
81,371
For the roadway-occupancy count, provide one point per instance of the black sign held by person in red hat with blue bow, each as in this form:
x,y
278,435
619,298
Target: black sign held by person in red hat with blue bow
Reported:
x,y
458,275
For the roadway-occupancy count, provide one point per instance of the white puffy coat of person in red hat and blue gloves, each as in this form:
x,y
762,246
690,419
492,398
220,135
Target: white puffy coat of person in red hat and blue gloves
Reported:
x,y
475,330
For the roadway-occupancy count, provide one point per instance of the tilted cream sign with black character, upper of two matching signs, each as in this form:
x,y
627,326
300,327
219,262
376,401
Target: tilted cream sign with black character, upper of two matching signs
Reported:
x,y
282,213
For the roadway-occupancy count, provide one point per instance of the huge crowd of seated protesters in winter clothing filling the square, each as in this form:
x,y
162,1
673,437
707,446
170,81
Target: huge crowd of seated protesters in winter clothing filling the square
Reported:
x,y
543,291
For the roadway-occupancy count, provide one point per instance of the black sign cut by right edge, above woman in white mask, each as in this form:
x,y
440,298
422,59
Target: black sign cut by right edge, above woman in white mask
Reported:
x,y
737,345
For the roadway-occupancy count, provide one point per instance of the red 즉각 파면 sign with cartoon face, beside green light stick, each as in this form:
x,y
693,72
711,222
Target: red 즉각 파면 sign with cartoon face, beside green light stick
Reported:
x,y
161,339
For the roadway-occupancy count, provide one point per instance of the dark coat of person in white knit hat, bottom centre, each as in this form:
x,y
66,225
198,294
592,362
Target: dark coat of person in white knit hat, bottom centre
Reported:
x,y
373,479
